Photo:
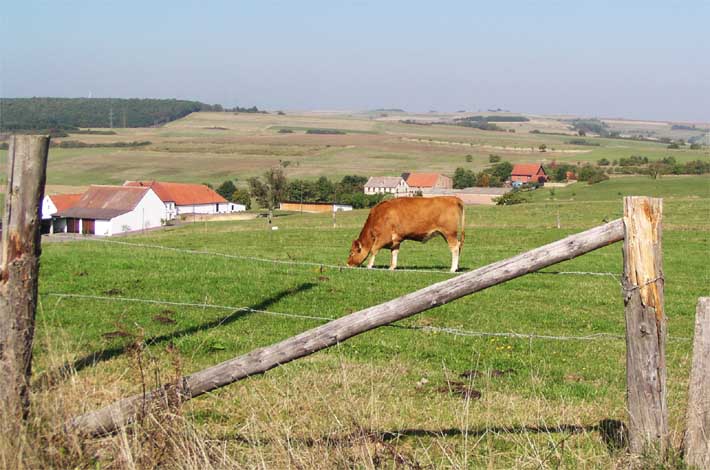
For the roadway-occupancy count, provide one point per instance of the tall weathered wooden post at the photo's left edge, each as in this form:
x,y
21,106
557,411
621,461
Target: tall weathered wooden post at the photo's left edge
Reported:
x,y
19,268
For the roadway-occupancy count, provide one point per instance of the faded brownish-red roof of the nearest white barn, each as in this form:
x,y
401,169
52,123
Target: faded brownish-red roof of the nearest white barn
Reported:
x,y
105,202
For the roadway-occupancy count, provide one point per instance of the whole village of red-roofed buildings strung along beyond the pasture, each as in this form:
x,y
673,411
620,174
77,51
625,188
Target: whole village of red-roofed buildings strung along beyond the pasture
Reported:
x,y
107,210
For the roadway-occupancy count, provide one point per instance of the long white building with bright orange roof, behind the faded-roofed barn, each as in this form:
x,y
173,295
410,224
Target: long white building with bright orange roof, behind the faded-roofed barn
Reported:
x,y
183,198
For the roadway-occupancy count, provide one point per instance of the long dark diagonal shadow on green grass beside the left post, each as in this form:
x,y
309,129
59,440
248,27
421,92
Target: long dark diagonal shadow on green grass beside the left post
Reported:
x,y
93,358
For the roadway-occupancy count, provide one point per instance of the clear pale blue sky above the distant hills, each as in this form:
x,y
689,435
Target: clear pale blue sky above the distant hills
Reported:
x,y
638,59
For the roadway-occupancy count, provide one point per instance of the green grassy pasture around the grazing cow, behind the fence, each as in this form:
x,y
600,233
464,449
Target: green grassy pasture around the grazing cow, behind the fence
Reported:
x,y
389,398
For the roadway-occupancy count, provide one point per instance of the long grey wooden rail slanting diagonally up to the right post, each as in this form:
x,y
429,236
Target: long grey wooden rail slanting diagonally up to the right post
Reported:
x,y
120,413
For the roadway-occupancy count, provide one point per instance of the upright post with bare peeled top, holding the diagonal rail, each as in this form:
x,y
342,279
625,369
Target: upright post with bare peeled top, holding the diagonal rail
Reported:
x,y
645,326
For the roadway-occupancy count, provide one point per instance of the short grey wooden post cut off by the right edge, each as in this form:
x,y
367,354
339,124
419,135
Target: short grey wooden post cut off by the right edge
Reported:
x,y
696,442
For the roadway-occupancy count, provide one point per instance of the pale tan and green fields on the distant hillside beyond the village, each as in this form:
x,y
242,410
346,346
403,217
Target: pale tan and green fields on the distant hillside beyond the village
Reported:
x,y
213,147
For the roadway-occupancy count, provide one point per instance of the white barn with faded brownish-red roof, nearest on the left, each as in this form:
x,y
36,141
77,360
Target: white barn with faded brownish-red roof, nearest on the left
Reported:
x,y
109,210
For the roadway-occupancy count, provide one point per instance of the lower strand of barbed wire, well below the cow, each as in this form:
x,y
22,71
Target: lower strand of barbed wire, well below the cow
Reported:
x,y
431,329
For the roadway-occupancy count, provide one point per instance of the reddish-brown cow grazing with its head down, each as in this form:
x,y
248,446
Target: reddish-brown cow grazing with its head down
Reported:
x,y
410,218
